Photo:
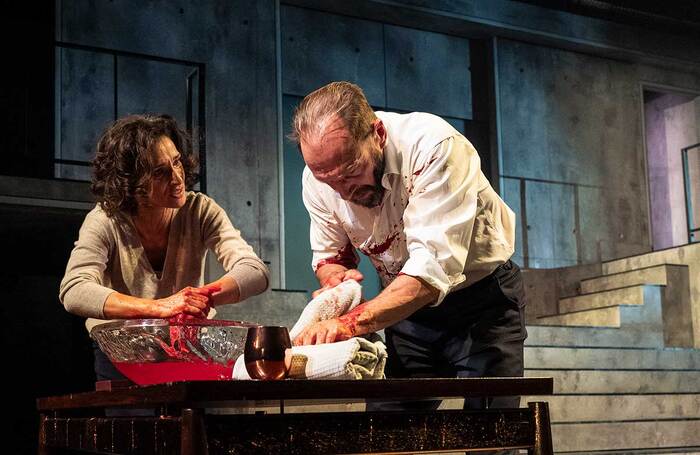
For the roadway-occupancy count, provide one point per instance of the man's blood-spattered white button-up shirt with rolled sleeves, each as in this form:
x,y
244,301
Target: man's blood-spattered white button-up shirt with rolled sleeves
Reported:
x,y
439,220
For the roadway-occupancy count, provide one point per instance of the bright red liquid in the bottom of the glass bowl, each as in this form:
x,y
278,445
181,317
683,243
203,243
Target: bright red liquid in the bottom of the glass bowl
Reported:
x,y
146,373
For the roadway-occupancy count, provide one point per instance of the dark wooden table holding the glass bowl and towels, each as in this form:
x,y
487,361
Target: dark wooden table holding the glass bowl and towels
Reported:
x,y
181,424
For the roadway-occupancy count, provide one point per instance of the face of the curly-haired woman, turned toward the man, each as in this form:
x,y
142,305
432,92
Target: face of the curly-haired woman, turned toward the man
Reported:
x,y
168,177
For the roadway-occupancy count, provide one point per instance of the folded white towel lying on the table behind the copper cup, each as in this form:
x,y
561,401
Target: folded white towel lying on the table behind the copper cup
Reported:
x,y
356,358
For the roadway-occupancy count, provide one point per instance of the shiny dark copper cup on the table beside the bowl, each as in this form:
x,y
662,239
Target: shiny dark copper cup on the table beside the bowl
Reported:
x,y
264,354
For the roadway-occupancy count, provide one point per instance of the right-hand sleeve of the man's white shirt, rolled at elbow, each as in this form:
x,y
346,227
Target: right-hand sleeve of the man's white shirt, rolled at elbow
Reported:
x,y
439,217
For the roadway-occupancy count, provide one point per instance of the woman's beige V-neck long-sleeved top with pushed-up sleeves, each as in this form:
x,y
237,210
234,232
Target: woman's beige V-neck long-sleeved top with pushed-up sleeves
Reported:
x,y
109,256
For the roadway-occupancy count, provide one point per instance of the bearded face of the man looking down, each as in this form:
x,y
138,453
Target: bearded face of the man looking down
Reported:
x,y
353,169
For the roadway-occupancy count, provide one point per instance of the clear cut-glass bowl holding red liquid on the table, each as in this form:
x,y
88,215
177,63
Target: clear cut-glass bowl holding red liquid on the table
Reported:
x,y
153,351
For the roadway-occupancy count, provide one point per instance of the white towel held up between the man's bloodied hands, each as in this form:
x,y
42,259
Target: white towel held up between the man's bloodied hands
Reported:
x,y
329,304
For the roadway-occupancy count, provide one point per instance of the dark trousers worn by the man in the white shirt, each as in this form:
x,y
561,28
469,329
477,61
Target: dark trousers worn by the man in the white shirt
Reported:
x,y
476,331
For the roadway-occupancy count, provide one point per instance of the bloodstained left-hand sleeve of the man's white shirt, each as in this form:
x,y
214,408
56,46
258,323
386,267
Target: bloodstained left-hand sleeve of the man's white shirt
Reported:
x,y
329,242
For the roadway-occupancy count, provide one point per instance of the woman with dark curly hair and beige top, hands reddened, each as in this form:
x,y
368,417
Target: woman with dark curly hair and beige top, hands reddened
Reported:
x,y
141,250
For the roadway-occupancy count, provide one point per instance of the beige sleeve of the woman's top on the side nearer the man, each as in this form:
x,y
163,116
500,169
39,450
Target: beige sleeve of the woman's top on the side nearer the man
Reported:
x,y
235,255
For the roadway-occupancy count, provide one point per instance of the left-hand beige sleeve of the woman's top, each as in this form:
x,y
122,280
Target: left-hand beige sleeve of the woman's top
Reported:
x,y
82,290
